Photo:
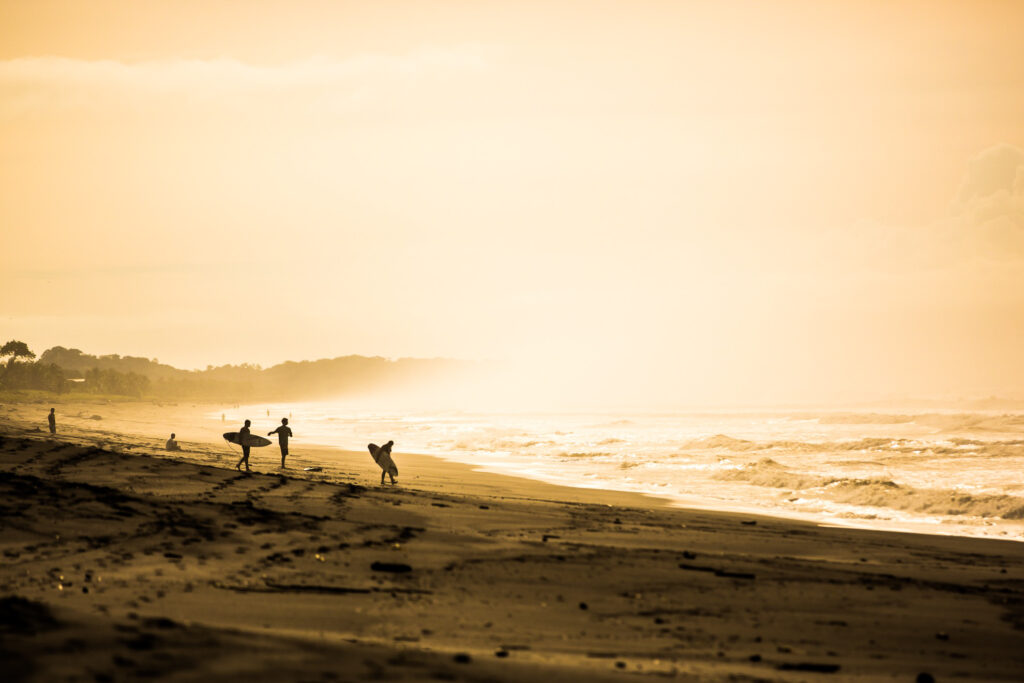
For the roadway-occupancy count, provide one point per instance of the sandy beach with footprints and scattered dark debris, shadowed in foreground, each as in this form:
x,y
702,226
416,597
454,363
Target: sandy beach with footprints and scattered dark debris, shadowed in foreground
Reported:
x,y
122,562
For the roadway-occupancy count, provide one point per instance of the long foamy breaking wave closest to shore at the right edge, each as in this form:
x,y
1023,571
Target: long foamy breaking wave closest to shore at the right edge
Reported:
x,y
878,493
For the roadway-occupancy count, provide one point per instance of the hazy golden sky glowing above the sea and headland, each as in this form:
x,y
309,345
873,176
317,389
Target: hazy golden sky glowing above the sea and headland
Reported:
x,y
654,202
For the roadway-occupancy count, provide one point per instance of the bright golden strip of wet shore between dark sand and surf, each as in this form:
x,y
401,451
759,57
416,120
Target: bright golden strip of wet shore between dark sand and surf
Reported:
x,y
133,424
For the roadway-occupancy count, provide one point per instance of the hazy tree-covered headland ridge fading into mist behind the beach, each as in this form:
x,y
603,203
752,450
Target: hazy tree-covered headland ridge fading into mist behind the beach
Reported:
x,y
63,369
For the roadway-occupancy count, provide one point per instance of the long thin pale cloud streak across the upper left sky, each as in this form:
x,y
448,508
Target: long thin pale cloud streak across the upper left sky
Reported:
x,y
51,86
